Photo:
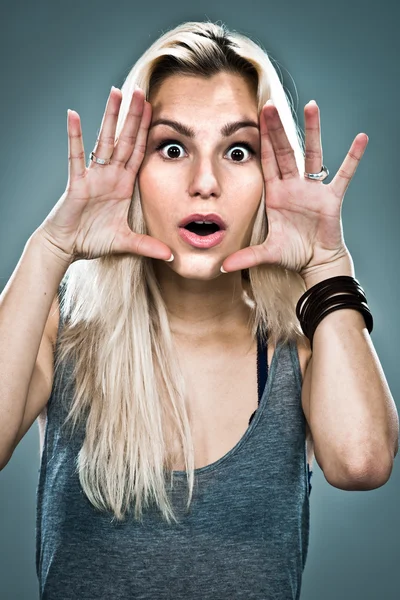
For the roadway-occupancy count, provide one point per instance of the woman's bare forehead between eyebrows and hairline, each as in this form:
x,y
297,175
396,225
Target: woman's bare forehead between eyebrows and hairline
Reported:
x,y
221,92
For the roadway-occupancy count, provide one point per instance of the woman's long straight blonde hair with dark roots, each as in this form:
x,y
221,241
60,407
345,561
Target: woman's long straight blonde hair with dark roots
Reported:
x,y
129,390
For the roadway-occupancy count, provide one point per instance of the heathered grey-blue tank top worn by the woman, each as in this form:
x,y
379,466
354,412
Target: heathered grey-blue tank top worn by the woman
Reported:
x,y
245,536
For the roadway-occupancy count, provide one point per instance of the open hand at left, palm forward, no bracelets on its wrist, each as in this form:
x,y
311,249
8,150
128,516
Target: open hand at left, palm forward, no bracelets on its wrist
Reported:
x,y
90,218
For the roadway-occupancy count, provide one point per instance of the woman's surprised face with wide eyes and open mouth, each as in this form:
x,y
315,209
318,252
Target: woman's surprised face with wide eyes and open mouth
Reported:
x,y
195,166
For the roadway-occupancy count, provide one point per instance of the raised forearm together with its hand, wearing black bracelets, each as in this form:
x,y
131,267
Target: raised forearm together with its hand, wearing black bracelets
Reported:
x,y
345,396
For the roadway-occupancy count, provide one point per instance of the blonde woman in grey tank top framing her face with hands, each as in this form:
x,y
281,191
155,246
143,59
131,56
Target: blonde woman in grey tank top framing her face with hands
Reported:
x,y
187,327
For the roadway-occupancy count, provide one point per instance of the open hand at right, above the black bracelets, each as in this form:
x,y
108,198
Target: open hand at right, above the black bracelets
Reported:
x,y
304,216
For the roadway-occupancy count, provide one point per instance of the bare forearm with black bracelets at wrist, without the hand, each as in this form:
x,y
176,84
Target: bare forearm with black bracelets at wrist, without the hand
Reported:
x,y
346,399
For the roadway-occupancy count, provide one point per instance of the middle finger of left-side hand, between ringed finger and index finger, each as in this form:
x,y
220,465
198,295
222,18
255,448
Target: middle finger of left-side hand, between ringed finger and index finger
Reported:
x,y
127,138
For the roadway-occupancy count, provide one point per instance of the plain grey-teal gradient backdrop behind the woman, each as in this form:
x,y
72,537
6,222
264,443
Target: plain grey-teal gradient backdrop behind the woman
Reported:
x,y
56,56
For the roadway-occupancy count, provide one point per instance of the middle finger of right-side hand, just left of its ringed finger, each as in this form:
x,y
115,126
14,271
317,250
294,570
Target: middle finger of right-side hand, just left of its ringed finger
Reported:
x,y
284,152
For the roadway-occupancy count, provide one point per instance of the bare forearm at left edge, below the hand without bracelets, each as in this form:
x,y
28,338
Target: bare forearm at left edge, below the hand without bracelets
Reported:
x,y
24,308
